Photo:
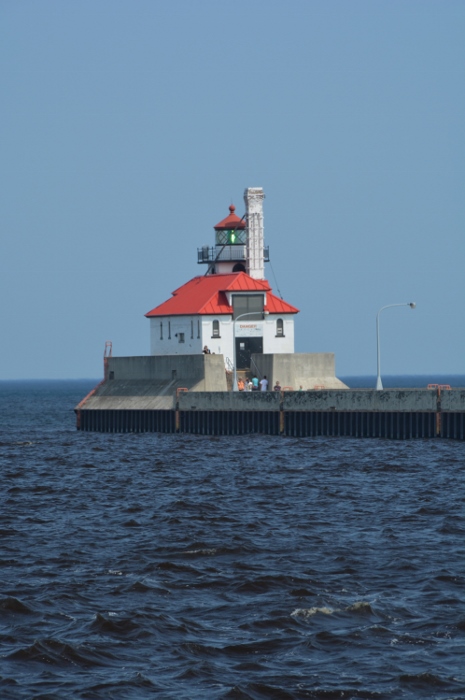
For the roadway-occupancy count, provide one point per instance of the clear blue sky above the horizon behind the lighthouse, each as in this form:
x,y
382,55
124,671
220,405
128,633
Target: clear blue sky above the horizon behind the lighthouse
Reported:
x,y
129,126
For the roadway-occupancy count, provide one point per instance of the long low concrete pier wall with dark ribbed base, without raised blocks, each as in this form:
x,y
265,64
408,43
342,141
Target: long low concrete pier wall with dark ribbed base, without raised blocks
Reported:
x,y
391,413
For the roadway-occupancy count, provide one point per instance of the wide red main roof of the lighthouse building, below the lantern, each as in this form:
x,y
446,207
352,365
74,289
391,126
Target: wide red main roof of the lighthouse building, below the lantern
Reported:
x,y
206,296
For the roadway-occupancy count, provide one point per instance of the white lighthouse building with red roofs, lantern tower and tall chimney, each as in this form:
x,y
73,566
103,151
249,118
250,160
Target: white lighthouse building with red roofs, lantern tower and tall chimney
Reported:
x,y
231,308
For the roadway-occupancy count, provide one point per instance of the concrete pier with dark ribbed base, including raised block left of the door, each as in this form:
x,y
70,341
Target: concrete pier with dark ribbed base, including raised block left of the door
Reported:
x,y
150,395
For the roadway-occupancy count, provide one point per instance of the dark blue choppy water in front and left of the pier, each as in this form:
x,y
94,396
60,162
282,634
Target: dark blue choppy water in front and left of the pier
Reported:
x,y
140,566
